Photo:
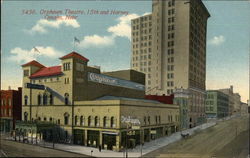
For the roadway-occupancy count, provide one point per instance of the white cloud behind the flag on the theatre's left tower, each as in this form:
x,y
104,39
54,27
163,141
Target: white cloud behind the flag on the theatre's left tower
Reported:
x,y
21,55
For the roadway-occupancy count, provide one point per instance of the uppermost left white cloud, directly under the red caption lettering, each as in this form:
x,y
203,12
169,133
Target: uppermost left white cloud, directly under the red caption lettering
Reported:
x,y
42,24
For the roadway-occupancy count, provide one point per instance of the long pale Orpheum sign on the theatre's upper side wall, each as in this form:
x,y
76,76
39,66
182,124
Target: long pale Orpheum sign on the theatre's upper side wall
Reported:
x,y
103,79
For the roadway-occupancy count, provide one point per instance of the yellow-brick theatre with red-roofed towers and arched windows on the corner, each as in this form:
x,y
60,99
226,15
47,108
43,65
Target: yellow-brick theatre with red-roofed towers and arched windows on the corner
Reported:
x,y
91,108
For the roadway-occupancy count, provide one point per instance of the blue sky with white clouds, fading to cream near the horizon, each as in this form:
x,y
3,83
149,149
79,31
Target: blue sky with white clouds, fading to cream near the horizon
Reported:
x,y
105,37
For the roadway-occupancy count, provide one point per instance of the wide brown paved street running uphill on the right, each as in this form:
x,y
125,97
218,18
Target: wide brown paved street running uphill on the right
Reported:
x,y
217,141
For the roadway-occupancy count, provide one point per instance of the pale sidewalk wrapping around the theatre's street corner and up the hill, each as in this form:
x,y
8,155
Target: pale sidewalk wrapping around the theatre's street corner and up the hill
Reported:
x,y
148,146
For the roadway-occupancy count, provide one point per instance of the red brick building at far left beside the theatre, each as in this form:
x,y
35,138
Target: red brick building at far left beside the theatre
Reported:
x,y
10,109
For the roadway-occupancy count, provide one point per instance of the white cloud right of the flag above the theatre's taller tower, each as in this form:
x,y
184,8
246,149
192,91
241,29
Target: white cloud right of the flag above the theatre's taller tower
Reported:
x,y
96,41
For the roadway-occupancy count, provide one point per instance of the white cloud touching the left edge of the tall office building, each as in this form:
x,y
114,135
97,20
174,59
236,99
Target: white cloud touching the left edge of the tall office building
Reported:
x,y
123,28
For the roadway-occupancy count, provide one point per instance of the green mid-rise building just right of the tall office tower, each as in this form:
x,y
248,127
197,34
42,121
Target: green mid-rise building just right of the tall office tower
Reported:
x,y
217,104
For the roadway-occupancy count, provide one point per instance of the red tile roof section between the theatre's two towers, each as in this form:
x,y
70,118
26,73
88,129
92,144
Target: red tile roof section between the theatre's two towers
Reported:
x,y
47,71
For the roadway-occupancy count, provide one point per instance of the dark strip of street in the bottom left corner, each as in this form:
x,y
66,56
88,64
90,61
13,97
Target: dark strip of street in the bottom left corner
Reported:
x,y
15,149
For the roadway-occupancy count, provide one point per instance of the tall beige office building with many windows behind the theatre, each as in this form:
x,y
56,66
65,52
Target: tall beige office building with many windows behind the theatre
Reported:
x,y
169,46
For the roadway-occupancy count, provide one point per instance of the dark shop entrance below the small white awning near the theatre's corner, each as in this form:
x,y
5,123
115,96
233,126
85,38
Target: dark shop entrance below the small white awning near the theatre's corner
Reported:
x,y
109,140
